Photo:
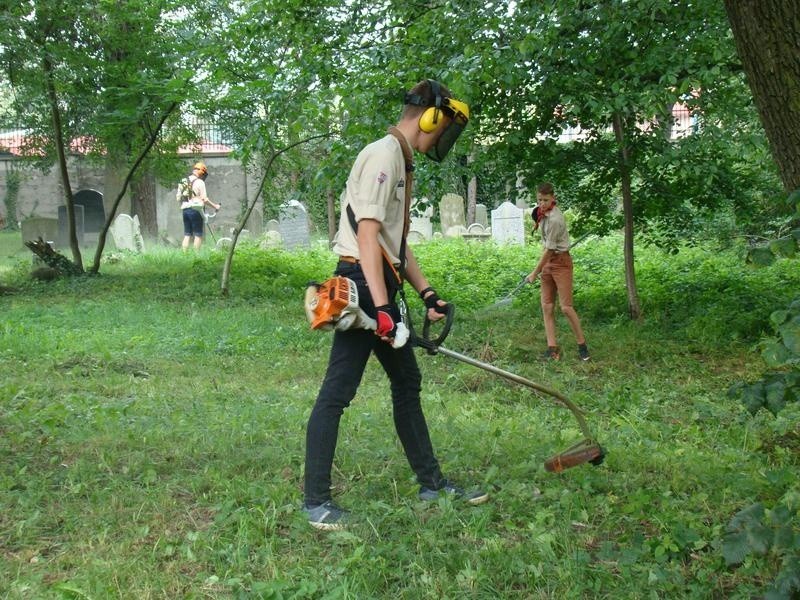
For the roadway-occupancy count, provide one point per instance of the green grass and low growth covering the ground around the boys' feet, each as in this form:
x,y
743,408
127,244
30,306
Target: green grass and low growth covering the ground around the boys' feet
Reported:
x,y
152,434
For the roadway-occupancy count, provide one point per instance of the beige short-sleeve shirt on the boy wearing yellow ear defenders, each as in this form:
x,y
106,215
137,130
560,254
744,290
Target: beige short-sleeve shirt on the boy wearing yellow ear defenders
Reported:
x,y
375,189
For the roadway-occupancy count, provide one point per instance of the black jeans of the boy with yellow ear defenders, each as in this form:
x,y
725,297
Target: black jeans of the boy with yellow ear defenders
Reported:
x,y
349,354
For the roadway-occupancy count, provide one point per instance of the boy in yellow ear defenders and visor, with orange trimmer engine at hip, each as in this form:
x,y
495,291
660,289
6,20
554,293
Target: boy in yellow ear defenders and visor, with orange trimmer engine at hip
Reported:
x,y
373,254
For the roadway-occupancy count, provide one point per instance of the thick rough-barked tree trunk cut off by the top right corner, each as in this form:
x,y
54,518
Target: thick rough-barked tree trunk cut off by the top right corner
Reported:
x,y
766,35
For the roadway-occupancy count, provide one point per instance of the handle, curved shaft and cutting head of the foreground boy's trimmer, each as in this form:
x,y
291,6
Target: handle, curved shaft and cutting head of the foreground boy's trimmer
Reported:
x,y
586,450
